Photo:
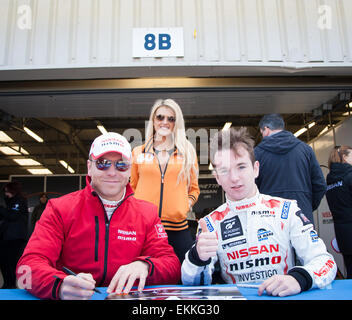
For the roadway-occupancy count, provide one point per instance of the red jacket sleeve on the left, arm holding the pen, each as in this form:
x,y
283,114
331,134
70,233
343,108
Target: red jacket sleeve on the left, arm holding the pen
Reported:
x,y
36,268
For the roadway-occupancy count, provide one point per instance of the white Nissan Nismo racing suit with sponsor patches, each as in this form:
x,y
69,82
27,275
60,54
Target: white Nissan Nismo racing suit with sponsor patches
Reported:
x,y
256,241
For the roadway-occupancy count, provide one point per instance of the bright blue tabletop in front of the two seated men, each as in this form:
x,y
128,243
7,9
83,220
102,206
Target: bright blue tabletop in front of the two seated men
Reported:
x,y
341,290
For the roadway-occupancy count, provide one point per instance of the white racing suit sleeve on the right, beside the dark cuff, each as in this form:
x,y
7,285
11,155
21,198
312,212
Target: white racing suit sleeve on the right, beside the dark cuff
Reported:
x,y
310,249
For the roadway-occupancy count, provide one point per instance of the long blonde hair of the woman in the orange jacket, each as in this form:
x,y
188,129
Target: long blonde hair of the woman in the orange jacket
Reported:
x,y
183,146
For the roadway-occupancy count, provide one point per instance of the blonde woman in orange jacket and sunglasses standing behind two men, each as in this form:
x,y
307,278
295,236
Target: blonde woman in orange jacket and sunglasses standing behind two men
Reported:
x,y
165,172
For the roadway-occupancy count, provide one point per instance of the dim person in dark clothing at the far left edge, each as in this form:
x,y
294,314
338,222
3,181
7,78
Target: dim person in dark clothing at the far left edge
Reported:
x,y
13,232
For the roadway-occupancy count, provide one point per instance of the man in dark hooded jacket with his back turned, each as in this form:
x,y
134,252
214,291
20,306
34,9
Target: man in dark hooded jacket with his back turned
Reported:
x,y
288,167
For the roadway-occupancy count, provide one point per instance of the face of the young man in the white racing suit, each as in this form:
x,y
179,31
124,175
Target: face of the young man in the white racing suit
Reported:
x,y
236,173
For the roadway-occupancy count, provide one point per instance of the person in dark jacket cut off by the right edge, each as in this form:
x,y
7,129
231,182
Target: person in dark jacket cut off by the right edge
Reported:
x,y
339,197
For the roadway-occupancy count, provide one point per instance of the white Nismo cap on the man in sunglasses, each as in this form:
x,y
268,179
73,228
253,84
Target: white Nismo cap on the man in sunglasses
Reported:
x,y
110,142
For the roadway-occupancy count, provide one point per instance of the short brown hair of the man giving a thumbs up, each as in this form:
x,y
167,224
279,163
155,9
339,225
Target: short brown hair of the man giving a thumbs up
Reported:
x,y
232,139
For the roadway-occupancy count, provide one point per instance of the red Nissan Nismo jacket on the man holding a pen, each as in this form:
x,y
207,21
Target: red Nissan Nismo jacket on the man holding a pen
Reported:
x,y
74,232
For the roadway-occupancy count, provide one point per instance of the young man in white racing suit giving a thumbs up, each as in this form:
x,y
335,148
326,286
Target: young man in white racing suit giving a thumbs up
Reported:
x,y
254,236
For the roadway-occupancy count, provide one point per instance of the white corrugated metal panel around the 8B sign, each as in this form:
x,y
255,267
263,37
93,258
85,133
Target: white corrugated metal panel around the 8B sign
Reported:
x,y
88,33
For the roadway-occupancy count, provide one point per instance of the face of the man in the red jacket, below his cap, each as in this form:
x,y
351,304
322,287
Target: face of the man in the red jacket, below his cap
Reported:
x,y
109,183
